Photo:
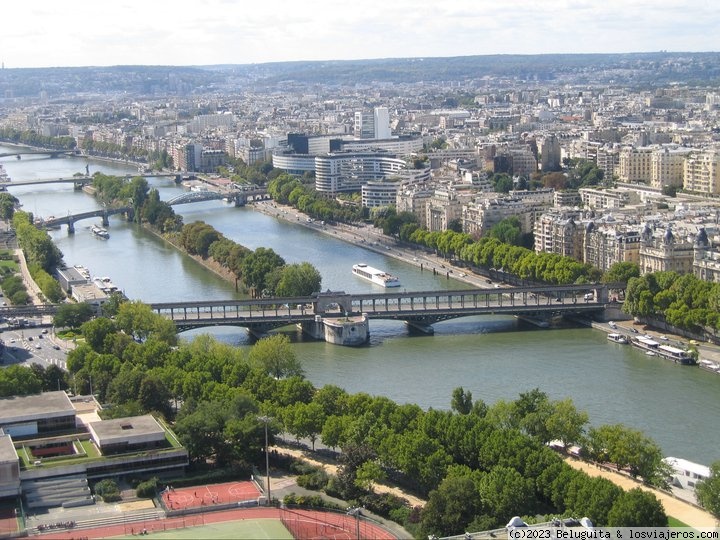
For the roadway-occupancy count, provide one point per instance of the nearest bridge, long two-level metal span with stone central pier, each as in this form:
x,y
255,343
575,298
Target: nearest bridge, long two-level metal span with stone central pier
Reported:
x,y
419,310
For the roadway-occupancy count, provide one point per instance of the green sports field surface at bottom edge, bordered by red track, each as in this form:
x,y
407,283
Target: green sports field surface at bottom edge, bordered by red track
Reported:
x,y
246,528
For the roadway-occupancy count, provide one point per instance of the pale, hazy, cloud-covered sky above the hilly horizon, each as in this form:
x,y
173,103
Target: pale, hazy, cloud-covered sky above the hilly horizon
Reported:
x,y
56,33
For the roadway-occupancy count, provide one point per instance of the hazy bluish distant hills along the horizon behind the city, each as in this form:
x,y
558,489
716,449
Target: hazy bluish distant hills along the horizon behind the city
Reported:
x,y
636,69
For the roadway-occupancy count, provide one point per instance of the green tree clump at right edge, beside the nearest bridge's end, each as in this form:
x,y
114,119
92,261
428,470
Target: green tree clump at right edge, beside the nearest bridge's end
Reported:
x,y
683,300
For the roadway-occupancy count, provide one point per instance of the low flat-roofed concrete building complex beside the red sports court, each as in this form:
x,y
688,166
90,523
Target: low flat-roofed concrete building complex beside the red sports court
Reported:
x,y
51,444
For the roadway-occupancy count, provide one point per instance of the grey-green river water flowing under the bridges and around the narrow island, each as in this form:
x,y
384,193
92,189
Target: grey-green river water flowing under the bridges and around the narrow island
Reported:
x,y
677,406
